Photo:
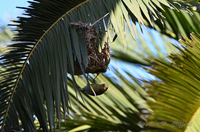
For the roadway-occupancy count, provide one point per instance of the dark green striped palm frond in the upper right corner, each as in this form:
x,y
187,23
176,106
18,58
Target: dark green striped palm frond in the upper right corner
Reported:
x,y
177,22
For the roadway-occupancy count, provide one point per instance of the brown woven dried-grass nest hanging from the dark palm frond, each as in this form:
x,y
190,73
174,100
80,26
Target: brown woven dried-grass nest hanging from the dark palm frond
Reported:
x,y
97,60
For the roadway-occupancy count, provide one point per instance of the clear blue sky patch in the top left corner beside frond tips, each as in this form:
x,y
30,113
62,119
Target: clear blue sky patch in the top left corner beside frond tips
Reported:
x,y
8,10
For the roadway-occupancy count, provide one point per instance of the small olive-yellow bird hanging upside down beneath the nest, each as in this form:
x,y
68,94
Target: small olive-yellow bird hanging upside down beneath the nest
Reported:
x,y
95,89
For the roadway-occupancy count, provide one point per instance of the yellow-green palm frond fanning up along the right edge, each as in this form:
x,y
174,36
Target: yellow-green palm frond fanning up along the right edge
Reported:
x,y
177,93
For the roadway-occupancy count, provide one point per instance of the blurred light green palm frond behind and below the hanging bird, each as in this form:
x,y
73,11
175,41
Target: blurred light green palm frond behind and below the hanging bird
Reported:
x,y
121,108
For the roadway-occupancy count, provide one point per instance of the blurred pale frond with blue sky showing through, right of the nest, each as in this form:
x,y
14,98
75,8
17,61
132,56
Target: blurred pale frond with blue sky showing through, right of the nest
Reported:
x,y
149,44
